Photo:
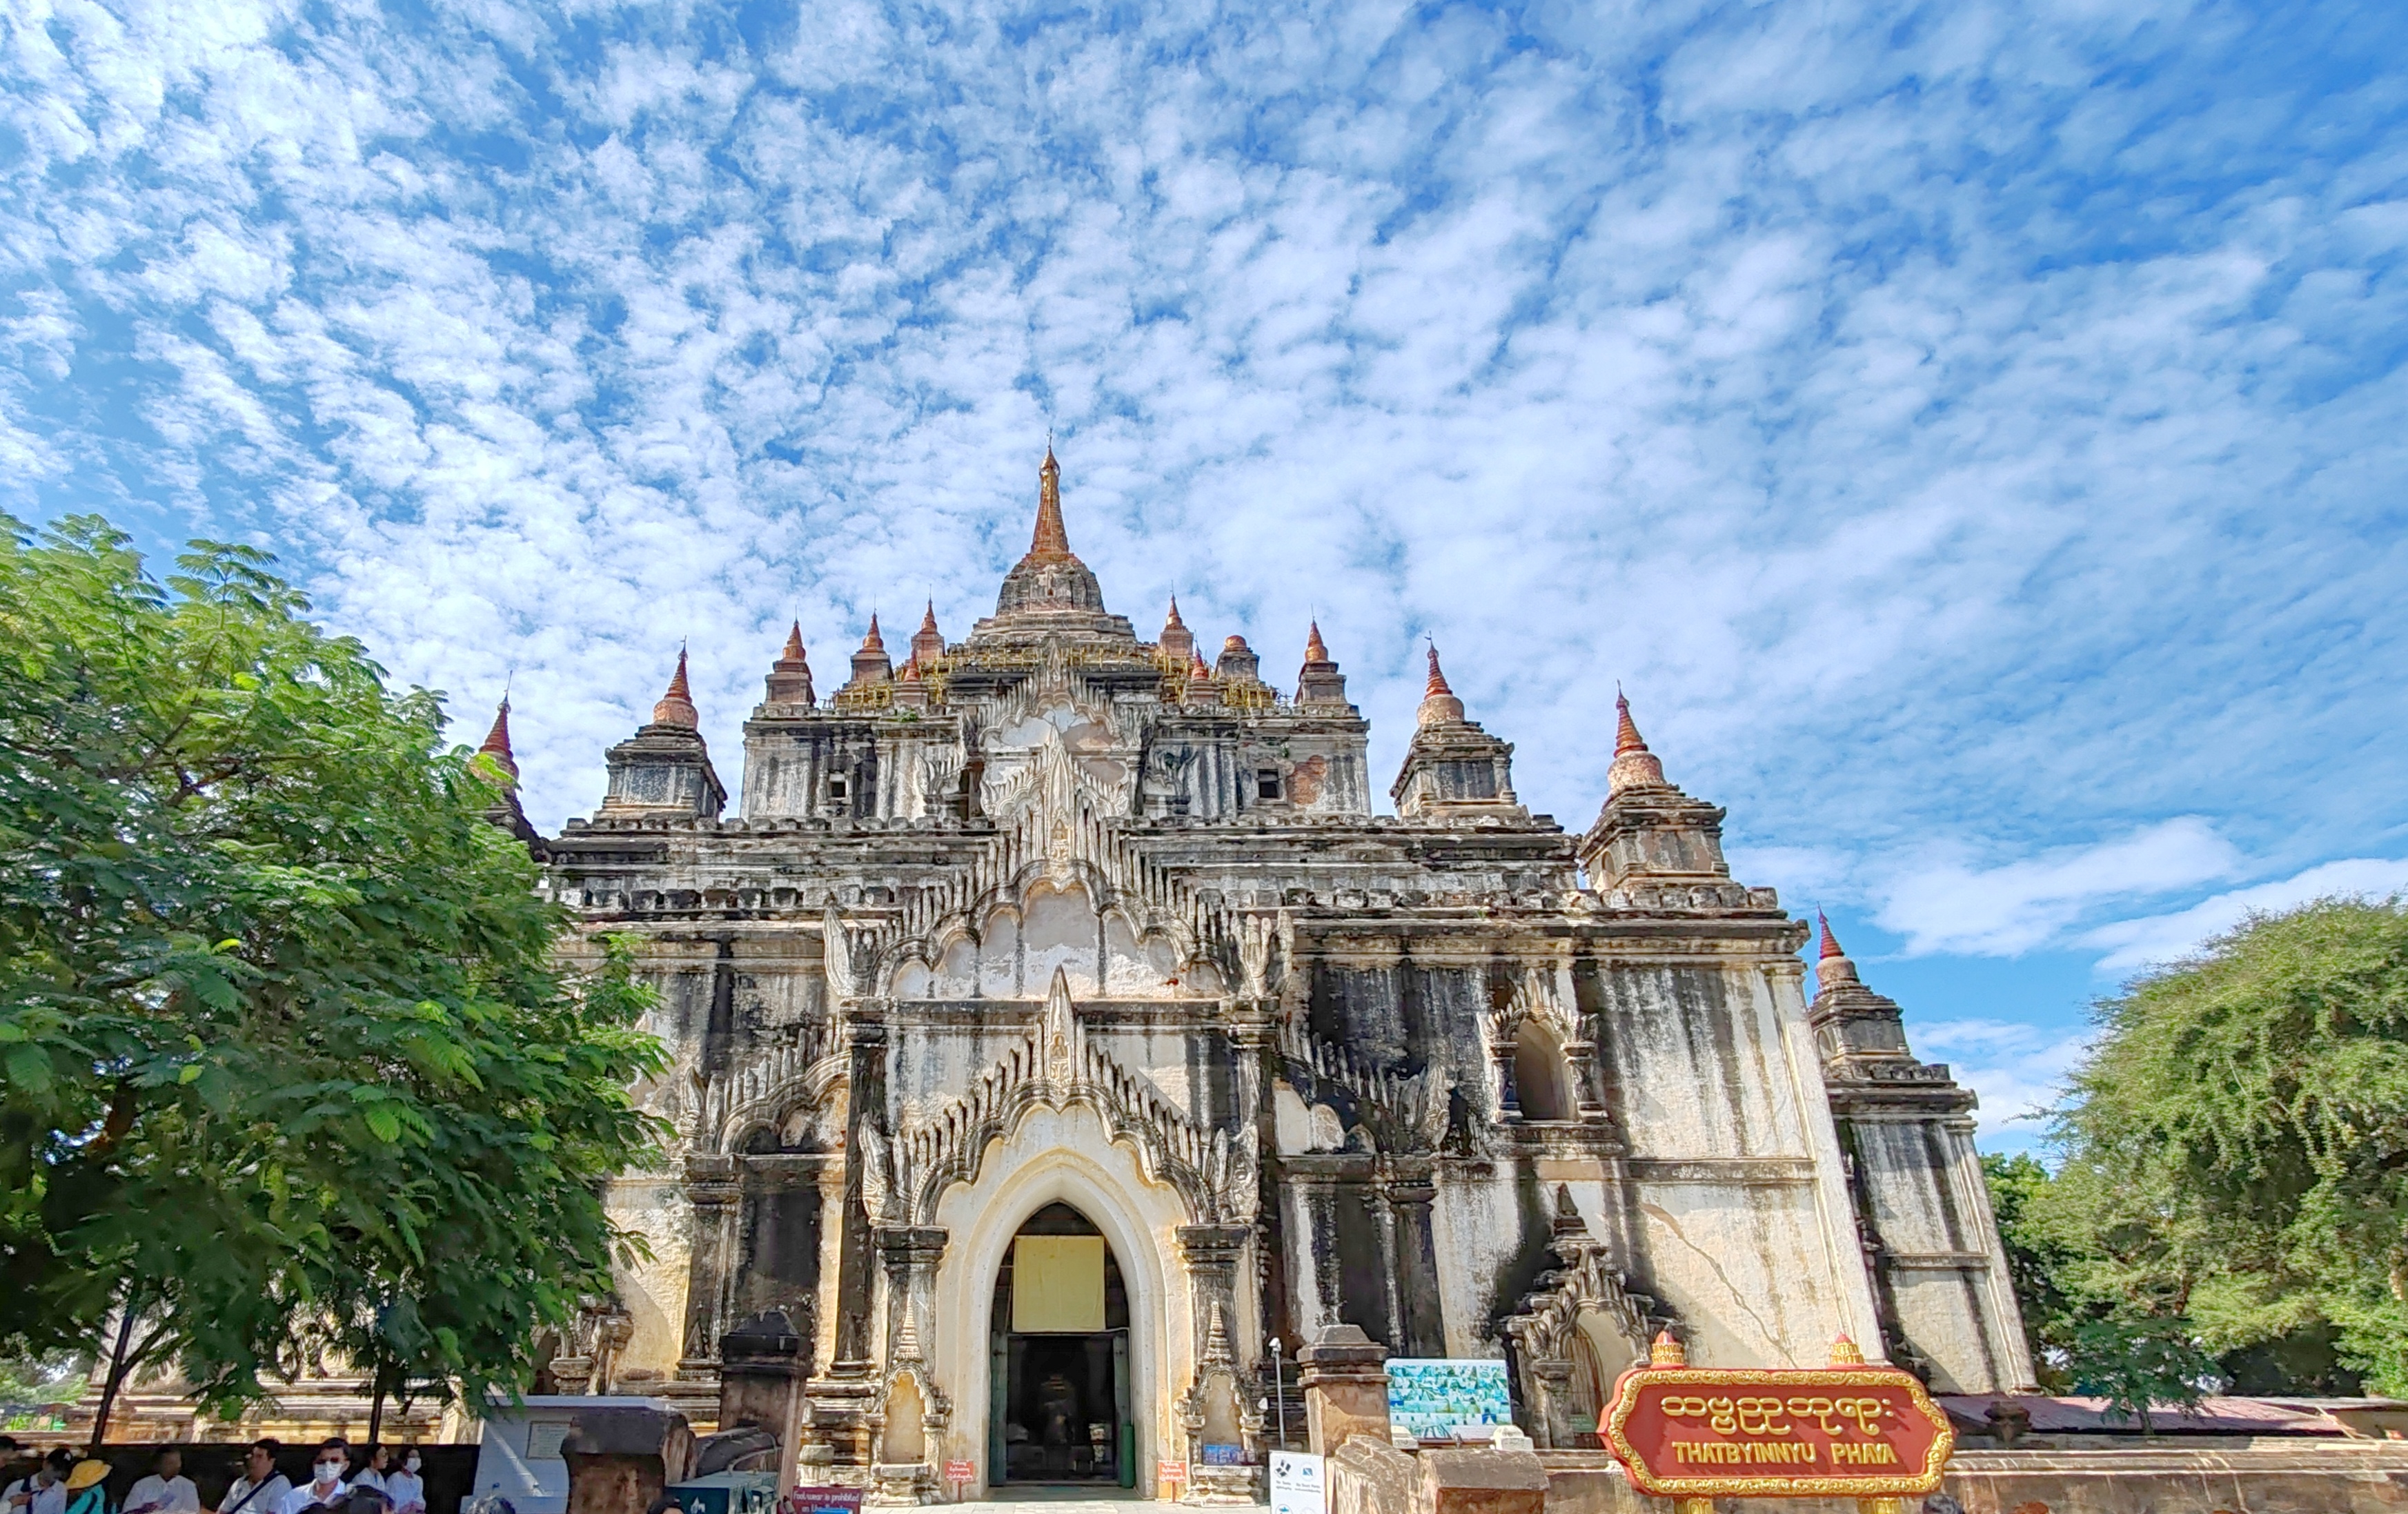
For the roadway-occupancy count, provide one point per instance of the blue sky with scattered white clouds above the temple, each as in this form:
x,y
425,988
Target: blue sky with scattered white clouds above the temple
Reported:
x,y
1971,432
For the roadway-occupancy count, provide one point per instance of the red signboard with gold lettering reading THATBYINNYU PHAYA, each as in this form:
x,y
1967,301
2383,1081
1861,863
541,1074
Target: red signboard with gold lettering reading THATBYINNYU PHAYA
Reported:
x,y
1776,1433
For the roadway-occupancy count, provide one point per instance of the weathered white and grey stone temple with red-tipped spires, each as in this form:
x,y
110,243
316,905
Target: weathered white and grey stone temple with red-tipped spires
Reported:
x,y
1056,1024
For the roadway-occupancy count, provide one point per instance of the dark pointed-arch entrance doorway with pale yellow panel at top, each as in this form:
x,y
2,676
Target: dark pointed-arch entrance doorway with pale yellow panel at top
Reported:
x,y
1061,1359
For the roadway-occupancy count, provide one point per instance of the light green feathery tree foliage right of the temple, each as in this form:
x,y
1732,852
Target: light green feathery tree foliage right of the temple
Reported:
x,y
2236,1159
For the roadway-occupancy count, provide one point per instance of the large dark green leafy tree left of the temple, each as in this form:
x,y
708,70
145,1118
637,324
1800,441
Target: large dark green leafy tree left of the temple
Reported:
x,y
288,1055
